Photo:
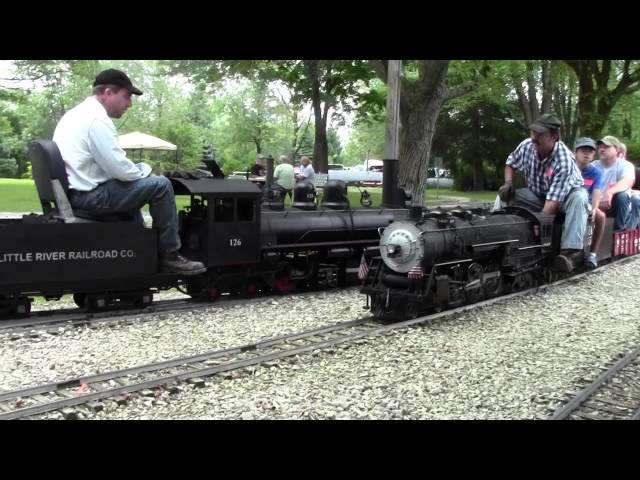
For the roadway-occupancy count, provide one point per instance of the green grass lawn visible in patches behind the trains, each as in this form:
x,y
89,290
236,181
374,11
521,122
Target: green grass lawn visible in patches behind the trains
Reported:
x,y
18,195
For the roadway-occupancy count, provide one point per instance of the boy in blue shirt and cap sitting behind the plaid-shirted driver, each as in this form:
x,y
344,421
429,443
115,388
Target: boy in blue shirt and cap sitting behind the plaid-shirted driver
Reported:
x,y
593,179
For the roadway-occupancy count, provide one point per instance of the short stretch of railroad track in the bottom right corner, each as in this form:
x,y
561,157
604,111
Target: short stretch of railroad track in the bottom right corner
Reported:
x,y
613,395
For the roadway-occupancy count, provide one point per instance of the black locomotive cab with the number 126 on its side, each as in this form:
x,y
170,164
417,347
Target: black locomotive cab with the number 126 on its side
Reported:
x,y
222,225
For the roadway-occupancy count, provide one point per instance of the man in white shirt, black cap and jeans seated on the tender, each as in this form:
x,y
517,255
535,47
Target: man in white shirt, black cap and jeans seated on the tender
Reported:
x,y
102,177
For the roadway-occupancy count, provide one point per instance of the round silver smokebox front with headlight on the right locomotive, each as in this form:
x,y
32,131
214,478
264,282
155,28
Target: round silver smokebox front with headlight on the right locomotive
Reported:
x,y
401,246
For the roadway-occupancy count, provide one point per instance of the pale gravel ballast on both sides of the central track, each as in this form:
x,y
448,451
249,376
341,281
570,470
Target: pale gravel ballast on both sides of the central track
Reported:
x,y
508,360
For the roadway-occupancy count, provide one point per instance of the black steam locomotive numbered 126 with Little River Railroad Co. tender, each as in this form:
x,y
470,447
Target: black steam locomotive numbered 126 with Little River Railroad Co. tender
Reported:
x,y
243,235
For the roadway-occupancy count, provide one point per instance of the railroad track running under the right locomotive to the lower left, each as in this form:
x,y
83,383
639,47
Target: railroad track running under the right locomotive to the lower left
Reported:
x,y
167,375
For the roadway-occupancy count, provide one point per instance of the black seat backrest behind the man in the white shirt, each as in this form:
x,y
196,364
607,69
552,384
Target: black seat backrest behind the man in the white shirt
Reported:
x,y
47,165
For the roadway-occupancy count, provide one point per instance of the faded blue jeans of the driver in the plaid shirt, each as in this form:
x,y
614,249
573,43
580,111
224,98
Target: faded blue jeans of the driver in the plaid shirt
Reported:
x,y
575,207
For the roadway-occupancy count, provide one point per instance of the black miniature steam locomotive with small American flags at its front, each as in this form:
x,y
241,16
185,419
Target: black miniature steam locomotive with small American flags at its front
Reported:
x,y
442,259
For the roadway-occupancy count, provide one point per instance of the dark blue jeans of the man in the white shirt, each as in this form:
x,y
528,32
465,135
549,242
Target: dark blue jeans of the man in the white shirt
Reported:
x,y
156,191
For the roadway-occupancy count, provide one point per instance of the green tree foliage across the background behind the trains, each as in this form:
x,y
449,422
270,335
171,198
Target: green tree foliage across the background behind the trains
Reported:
x,y
470,113
